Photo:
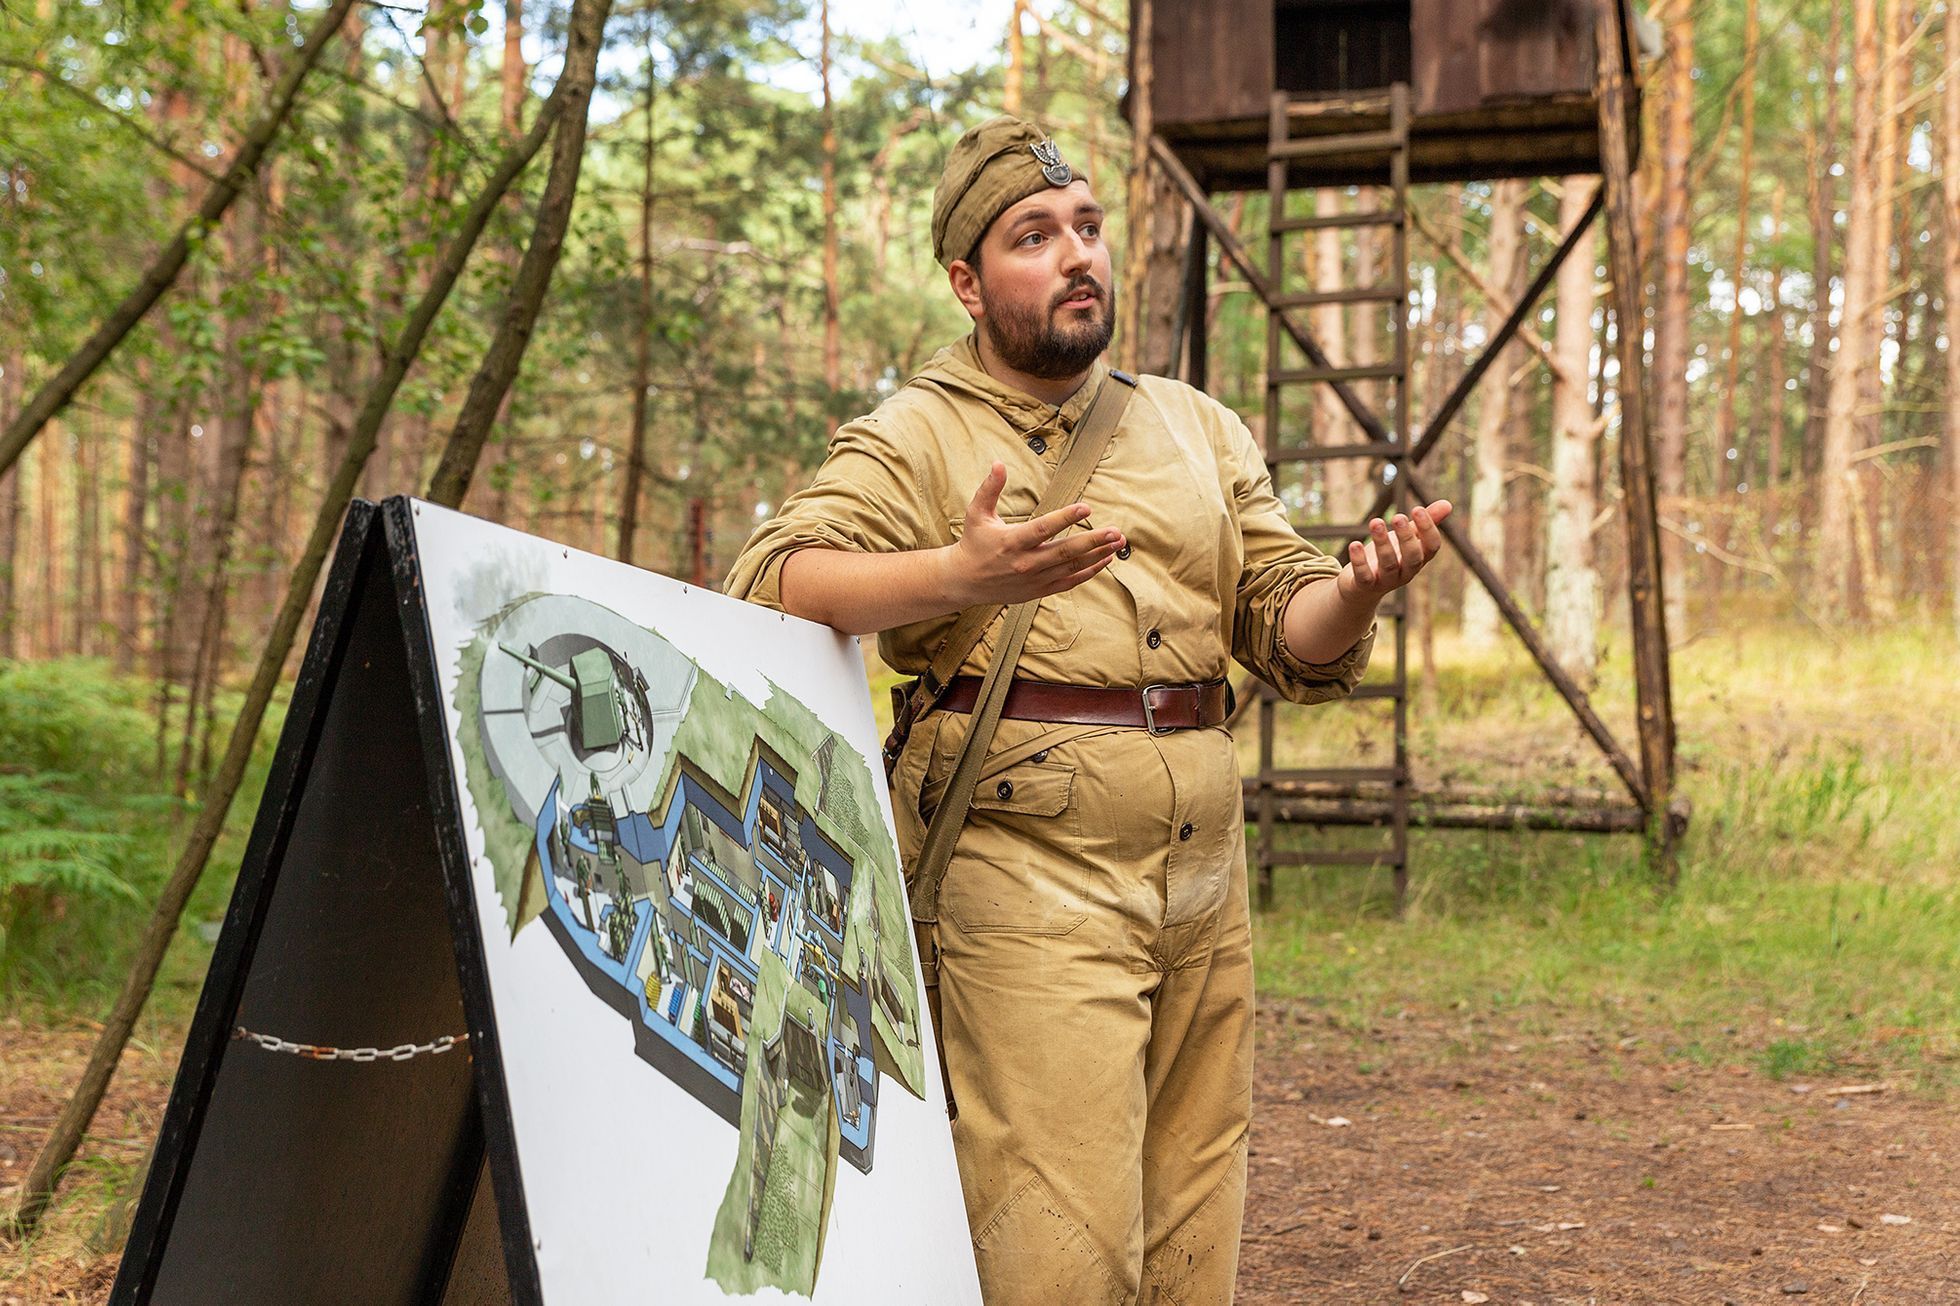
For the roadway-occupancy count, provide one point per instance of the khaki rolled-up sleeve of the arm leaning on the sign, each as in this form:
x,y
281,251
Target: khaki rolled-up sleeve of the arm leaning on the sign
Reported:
x,y
865,499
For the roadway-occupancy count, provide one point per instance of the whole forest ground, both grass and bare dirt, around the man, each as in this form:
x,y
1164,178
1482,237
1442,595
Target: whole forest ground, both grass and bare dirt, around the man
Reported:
x,y
1543,1080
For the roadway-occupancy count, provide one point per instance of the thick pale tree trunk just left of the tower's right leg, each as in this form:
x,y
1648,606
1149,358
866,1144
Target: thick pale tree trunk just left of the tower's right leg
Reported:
x,y
1571,587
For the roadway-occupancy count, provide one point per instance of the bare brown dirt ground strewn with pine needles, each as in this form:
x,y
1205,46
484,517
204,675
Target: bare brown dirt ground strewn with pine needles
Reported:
x,y
1424,1162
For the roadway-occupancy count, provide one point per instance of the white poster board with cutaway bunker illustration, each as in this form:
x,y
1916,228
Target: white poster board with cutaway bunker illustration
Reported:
x,y
697,938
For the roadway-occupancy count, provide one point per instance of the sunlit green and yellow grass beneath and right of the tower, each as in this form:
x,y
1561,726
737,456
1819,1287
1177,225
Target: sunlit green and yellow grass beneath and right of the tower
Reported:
x,y
1818,915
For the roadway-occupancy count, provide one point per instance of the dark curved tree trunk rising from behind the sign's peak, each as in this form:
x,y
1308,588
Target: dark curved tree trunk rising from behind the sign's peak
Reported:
x,y
542,256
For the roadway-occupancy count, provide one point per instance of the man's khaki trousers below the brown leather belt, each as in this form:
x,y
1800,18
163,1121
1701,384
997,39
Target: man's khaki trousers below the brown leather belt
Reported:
x,y
1097,991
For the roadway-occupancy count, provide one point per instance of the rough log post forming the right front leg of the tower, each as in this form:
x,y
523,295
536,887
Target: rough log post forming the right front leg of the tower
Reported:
x,y
1651,678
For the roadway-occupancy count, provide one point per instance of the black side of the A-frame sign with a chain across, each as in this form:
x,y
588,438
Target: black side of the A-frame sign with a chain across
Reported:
x,y
293,1180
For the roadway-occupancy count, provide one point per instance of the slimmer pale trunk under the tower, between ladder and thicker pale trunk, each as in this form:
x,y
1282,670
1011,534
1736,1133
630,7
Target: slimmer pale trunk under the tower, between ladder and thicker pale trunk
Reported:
x,y
1481,619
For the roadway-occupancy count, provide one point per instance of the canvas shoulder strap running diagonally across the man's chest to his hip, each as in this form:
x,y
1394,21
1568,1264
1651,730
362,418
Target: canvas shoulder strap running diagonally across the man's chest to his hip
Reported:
x,y
1093,438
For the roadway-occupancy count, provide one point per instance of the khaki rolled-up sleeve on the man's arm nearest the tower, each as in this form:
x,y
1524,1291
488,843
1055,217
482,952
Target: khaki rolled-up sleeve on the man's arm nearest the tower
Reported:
x,y
1277,566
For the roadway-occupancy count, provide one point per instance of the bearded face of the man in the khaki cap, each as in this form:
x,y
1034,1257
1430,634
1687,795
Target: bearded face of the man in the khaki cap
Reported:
x,y
1046,285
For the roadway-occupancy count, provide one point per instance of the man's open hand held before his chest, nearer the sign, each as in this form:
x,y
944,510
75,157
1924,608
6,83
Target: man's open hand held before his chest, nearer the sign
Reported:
x,y
1010,564
